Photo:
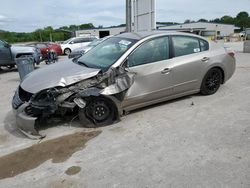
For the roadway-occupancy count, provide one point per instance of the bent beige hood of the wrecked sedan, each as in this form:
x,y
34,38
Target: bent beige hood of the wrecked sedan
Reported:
x,y
58,74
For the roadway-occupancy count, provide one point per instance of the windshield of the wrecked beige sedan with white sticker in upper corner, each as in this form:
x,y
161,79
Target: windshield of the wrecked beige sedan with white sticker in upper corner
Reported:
x,y
106,53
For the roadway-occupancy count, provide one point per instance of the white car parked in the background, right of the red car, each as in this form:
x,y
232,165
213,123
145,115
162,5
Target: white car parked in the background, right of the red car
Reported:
x,y
76,42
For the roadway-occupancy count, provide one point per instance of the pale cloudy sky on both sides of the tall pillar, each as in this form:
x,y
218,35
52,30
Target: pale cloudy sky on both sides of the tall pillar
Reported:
x,y
28,15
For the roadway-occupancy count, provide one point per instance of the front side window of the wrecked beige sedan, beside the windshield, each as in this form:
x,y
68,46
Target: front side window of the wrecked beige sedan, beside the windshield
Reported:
x,y
149,52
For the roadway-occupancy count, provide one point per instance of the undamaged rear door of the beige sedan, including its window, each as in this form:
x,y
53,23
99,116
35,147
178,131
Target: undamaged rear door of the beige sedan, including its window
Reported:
x,y
190,57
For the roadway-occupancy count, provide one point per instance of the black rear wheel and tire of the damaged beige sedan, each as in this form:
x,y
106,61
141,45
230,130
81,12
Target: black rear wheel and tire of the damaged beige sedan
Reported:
x,y
211,82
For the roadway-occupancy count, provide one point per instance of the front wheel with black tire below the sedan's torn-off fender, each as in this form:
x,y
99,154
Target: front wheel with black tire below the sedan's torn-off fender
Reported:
x,y
99,112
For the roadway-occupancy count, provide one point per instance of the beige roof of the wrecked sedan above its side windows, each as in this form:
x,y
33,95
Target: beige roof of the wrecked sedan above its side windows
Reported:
x,y
142,35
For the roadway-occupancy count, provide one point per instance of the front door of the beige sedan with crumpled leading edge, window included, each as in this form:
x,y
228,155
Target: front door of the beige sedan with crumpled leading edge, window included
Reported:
x,y
153,80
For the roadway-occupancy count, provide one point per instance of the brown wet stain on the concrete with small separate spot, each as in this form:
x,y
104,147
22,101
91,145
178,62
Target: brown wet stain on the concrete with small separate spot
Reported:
x,y
59,150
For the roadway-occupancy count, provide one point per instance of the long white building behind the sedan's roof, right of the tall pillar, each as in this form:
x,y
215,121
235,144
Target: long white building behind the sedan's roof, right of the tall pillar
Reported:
x,y
203,28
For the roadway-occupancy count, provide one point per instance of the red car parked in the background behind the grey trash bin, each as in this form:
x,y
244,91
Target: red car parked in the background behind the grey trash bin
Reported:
x,y
46,47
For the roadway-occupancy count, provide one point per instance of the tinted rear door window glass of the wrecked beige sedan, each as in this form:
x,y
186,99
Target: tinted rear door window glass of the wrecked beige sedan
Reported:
x,y
185,45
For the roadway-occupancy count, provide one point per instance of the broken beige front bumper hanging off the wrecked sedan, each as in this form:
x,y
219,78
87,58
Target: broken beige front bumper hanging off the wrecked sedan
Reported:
x,y
26,123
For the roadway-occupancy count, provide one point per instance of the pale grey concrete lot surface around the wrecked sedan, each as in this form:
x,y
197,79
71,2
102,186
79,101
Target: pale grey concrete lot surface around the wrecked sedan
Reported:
x,y
195,141
